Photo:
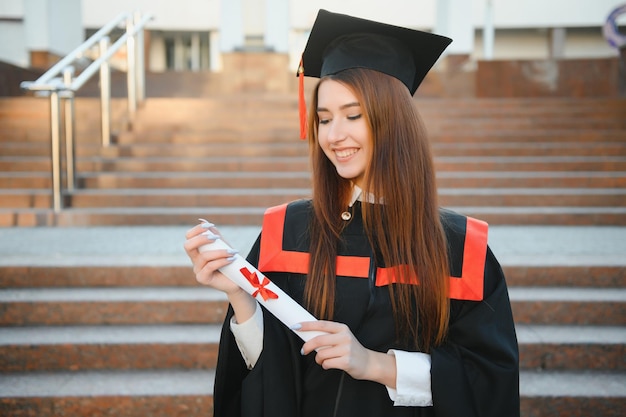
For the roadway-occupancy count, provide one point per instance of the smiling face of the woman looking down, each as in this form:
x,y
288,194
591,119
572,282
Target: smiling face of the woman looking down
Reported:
x,y
343,133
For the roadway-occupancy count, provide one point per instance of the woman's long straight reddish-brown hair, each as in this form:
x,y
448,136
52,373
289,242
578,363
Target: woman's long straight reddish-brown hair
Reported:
x,y
406,229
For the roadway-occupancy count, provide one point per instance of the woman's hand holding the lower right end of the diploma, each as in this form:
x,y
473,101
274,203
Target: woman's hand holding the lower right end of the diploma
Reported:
x,y
339,349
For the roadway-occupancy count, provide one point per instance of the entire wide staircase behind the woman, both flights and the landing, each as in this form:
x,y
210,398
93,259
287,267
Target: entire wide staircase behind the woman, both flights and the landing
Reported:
x,y
101,320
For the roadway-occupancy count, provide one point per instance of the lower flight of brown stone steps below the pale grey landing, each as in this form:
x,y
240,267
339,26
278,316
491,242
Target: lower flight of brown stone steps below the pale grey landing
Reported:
x,y
141,340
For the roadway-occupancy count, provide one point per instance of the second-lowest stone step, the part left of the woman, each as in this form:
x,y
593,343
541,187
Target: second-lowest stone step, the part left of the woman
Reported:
x,y
110,347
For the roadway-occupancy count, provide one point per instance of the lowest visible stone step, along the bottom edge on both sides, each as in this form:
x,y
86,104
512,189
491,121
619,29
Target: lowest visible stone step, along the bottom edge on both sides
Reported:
x,y
163,393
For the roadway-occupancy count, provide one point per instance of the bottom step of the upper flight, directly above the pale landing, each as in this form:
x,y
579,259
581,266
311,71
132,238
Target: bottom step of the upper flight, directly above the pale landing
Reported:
x,y
252,216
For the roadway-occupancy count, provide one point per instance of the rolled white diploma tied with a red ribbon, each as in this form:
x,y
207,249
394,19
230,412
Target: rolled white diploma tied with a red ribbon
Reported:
x,y
284,308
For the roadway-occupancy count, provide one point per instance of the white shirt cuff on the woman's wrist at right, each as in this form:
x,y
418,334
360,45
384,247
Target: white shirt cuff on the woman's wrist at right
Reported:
x,y
413,387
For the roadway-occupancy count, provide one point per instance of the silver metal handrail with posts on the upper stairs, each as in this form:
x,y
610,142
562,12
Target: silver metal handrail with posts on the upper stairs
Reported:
x,y
59,84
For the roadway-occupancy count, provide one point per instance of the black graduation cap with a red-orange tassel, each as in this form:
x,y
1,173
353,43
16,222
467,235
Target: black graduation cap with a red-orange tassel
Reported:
x,y
338,42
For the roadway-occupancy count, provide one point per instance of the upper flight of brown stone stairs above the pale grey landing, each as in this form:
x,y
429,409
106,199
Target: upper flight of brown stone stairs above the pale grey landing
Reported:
x,y
508,161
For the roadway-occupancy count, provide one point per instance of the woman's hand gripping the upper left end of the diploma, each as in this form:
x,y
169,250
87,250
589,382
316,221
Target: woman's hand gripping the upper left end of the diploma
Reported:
x,y
206,264
